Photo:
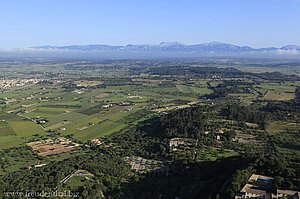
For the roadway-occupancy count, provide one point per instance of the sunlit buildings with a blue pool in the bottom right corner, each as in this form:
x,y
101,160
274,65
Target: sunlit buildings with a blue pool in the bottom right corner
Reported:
x,y
259,186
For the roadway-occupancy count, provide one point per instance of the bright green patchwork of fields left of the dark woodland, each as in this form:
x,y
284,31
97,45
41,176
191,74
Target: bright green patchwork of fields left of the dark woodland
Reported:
x,y
89,110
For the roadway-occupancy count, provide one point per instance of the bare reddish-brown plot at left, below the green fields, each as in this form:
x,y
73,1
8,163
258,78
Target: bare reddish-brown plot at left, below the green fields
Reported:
x,y
50,147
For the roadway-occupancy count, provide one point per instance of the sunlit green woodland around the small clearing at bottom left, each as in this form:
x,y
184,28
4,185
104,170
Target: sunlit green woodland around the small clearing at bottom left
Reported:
x,y
109,170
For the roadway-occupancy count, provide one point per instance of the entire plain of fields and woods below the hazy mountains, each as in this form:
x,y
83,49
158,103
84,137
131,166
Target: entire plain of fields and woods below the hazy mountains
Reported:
x,y
192,119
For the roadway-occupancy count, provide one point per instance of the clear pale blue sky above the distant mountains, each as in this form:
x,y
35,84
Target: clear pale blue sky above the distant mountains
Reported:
x,y
257,23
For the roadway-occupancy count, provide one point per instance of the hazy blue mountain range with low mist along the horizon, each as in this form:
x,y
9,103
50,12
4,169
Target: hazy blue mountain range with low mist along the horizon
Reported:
x,y
162,50
